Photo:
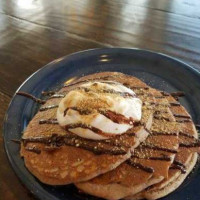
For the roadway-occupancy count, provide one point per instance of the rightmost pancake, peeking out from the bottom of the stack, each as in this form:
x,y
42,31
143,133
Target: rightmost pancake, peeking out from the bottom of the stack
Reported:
x,y
185,159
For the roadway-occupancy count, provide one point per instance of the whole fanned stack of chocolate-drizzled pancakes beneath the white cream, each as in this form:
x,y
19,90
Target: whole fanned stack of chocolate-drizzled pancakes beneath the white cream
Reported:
x,y
149,161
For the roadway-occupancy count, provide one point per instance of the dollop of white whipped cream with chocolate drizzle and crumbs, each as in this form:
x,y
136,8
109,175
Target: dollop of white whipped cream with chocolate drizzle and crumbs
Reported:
x,y
88,104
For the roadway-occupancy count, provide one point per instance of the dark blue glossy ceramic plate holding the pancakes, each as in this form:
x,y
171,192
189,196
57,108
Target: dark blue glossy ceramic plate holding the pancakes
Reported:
x,y
157,70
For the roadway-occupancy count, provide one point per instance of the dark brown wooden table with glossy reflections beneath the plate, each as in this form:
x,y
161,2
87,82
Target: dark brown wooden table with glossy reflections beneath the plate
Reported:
x,y
35,32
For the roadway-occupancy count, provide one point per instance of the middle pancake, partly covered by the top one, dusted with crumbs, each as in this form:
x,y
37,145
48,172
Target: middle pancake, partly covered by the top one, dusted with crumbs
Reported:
x,y
147,165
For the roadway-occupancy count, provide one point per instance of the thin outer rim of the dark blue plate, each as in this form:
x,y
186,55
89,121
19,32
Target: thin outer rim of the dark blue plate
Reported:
x,y
13,165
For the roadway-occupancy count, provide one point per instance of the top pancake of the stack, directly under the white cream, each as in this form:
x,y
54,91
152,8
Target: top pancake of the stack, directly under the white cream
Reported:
x,y
58,157
